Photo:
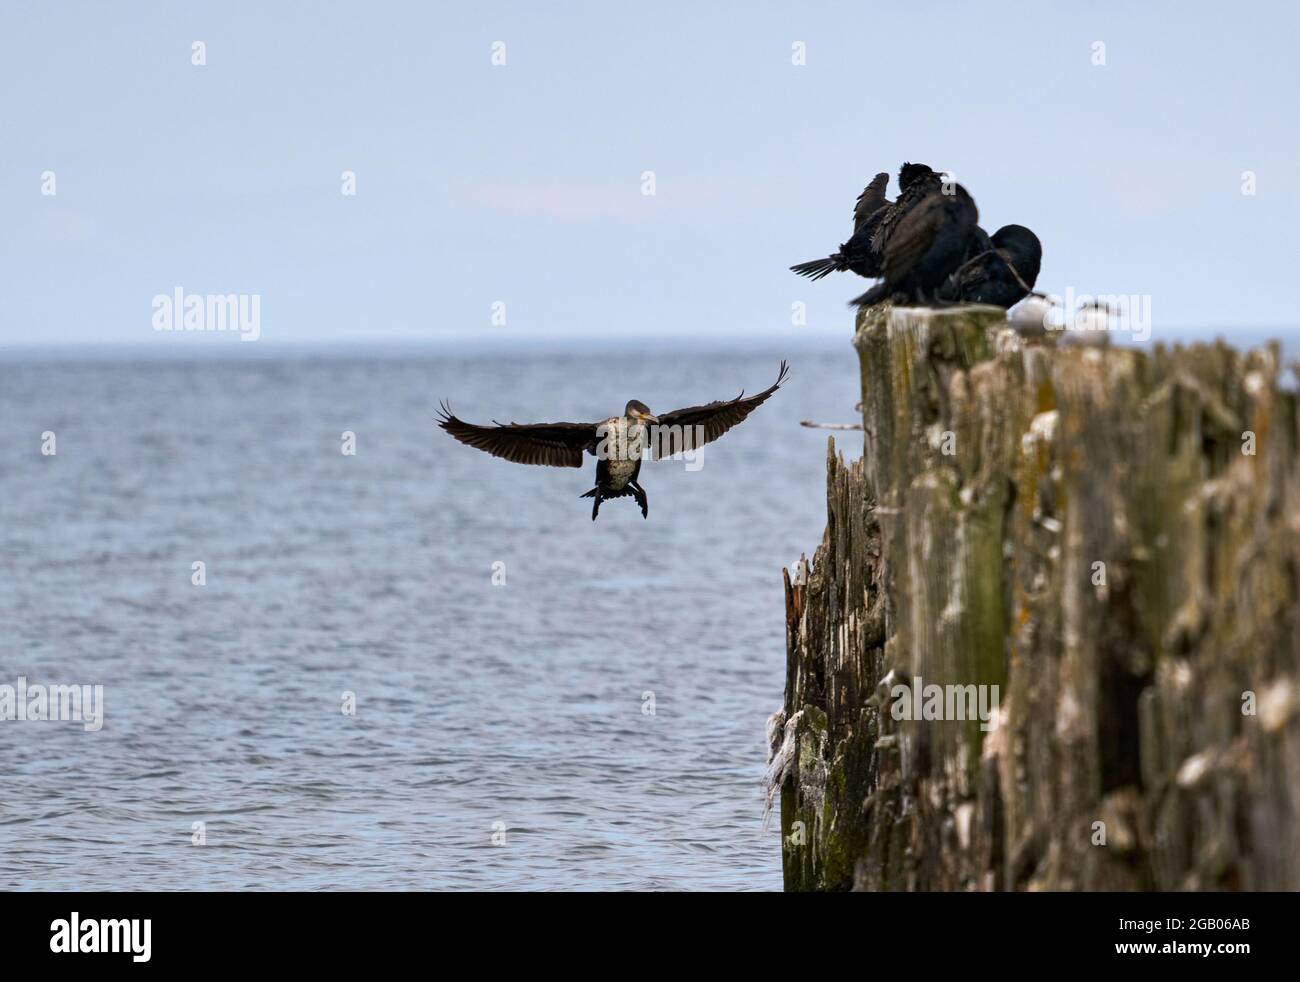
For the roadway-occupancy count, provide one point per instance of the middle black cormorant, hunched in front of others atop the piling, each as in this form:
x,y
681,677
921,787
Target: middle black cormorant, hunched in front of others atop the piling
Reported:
x,y
924,241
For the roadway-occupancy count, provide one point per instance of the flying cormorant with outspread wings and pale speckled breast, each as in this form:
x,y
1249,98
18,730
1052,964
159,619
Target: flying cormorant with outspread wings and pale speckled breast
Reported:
x,y
618,443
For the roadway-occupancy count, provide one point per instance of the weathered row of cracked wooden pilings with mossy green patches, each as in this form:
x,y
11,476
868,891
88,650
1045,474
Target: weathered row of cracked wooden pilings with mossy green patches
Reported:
x,y
1112,538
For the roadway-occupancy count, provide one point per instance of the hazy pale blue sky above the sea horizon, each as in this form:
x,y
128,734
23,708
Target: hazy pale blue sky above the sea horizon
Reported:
x,y
522,184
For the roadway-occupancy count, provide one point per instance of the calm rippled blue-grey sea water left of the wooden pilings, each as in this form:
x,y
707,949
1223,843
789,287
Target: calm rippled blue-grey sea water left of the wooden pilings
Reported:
x,y
482,710
